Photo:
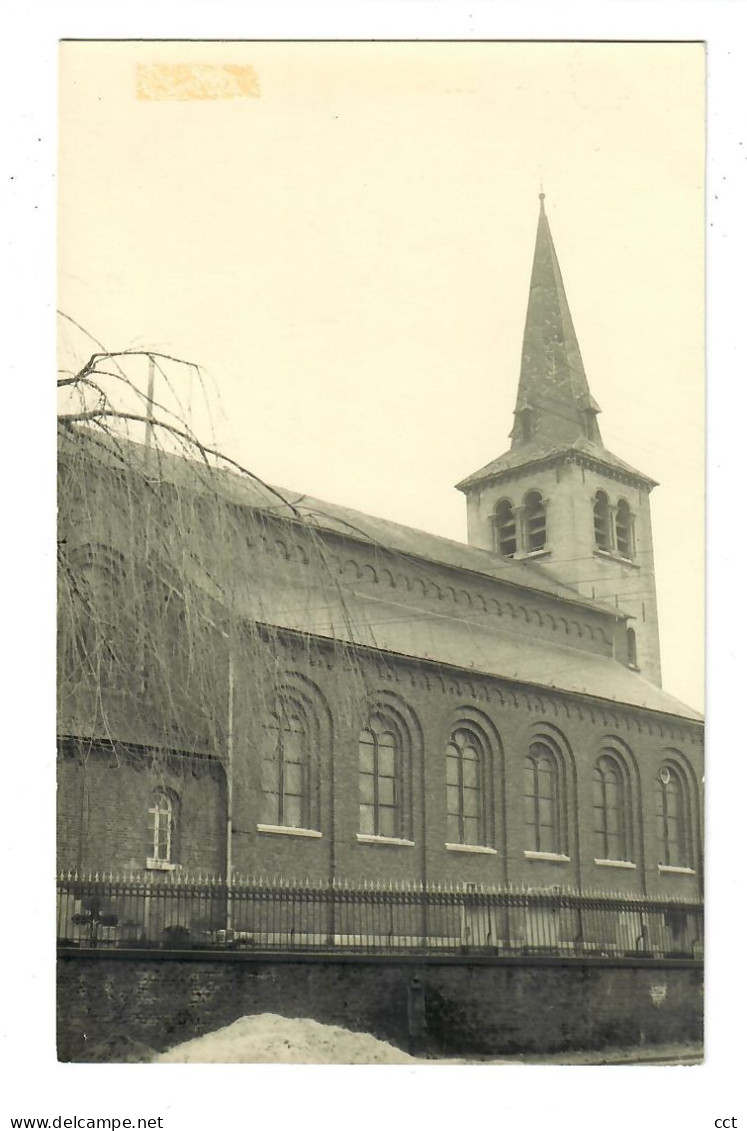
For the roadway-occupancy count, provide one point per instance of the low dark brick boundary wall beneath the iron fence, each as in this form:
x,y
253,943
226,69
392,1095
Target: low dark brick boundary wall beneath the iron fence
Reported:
x,y
496,1008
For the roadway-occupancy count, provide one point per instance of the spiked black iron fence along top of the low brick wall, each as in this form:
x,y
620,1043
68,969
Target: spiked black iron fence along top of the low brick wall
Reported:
x,y
284,916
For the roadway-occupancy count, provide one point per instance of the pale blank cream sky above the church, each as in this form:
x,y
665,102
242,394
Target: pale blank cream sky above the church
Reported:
x,y
346,249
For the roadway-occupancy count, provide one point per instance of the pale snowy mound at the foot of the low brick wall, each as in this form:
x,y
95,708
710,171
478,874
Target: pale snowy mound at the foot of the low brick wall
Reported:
x,y
268,1039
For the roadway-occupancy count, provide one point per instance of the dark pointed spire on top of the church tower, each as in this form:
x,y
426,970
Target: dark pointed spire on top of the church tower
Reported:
x,y
554,404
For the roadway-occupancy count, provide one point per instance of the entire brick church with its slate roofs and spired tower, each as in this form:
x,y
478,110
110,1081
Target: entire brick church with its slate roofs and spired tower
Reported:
x,y
255,684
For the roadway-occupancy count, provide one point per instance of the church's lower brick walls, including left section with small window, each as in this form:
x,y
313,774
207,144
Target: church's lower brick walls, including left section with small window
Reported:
x,y
105,798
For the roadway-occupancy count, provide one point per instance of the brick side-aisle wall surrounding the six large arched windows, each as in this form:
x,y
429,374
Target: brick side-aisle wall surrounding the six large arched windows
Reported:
x,y
430,702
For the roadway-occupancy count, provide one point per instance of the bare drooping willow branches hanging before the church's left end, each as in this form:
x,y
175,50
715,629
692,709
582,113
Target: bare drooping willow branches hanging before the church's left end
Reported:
x,y
159,581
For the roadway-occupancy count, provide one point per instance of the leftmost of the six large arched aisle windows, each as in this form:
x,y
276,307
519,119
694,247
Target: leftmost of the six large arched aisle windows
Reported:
x,y
286,778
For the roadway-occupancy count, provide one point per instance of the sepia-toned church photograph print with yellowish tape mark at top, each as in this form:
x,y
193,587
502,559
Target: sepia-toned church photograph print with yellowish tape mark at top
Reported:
x,y
403,761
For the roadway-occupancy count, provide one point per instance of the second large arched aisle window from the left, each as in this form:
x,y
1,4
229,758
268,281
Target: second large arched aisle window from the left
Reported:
x,y
380,780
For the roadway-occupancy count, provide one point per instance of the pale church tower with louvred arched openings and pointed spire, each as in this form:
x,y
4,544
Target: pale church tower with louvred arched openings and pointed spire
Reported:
x,y
559,497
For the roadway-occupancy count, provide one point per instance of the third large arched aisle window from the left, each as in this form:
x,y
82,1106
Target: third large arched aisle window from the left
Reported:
x,y
466,789
